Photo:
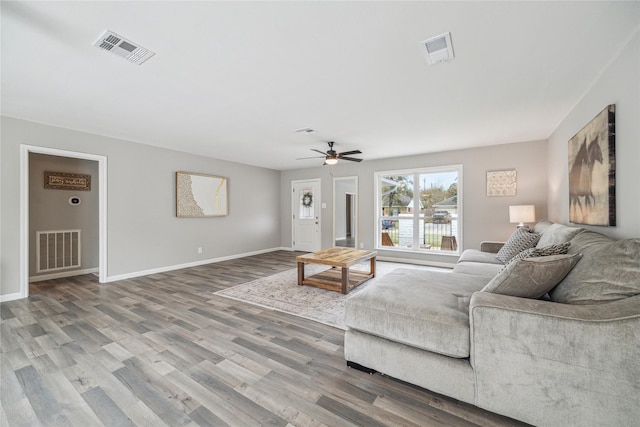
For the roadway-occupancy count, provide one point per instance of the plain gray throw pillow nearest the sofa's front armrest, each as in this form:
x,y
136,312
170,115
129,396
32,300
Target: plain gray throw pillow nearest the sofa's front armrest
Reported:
x,y
532,277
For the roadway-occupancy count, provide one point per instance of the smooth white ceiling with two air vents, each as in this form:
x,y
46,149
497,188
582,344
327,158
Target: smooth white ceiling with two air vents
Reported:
x,y
233,80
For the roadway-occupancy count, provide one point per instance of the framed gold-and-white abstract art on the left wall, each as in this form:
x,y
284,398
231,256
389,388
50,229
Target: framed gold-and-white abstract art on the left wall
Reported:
x,y
199,195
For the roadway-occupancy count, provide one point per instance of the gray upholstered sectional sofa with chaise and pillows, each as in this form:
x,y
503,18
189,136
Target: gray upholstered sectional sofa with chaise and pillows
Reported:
x,y
570,357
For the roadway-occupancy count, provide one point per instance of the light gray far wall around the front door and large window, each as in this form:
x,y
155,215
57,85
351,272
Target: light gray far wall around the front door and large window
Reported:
x,y
485,218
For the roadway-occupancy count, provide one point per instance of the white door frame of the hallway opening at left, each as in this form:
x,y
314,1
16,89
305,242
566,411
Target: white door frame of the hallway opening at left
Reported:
x,y
25,229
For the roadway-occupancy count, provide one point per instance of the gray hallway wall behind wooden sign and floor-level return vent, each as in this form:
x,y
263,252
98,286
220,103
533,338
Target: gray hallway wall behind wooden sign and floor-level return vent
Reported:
x,y
50,209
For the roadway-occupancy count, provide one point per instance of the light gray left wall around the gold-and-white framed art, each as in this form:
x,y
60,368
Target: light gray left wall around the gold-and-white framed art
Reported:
x,y
143,231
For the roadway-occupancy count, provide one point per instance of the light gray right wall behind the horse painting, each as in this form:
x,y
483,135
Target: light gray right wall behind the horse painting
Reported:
x,y
619,84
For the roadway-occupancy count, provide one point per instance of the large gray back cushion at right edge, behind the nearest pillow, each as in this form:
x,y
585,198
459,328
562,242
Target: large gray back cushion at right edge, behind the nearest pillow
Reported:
x,y
608,271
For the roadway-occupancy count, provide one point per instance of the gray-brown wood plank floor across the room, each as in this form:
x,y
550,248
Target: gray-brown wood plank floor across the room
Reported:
x,y
162,350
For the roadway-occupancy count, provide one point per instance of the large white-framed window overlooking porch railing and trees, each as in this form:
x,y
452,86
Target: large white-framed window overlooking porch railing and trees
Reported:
x,y
419,210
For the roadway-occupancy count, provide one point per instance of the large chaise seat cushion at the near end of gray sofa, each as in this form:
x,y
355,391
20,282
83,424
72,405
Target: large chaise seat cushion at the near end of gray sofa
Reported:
x,y
424,309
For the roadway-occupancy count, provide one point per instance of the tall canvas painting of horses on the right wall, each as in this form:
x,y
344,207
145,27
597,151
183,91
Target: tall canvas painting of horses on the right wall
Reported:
x,y
592,171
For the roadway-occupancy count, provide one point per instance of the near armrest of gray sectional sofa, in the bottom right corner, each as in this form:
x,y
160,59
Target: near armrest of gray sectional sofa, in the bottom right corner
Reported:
x,y
547,363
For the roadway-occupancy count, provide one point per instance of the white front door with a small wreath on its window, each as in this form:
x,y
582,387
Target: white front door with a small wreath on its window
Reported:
x,y
305,204
